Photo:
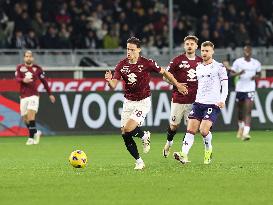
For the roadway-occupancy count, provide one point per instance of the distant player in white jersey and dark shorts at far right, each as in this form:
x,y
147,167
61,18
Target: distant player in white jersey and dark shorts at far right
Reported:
x,y
248,69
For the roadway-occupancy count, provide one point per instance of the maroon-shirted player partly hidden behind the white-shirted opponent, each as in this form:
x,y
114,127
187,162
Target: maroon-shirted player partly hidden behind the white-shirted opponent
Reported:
x,y
183,67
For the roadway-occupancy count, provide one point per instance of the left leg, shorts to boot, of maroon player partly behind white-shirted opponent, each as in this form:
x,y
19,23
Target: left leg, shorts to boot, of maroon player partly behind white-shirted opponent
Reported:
x,y
175,119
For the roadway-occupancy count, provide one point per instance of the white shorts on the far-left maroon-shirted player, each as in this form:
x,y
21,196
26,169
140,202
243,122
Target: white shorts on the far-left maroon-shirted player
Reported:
x,y
29,103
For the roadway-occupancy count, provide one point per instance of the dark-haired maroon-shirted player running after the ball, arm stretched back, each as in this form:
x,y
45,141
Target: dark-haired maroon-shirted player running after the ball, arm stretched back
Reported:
x,y
135,72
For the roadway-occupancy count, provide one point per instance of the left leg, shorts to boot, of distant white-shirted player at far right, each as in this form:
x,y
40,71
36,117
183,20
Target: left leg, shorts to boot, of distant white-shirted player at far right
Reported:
x,y
240,109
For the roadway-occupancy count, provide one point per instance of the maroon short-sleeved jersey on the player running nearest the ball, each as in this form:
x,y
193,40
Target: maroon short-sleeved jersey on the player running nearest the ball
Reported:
x,y
136,77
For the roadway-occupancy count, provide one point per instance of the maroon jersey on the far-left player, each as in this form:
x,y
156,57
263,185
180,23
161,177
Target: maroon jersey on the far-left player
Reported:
x,y
33,72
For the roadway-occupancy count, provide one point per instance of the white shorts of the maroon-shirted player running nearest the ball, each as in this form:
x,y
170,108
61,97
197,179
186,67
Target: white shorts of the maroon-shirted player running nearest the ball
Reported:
x,y
135,110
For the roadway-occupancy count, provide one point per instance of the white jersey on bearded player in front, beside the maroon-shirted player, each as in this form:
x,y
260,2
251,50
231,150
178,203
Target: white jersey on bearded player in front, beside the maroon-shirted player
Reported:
x,y
210,79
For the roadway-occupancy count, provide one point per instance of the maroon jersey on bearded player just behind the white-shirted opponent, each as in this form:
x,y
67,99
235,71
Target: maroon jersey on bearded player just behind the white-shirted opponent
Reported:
x,y
184,70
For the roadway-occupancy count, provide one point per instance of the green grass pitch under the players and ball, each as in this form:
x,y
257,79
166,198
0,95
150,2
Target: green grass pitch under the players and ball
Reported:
x,y
241,172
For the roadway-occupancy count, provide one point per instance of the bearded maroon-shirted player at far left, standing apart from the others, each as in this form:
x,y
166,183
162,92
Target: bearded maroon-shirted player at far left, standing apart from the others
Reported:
x,y
27,75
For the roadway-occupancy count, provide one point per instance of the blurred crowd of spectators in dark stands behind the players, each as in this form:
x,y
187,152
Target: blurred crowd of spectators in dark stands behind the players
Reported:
x,y
107,24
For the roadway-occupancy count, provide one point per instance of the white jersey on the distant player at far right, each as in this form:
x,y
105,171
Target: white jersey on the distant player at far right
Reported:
x,y
245,84
